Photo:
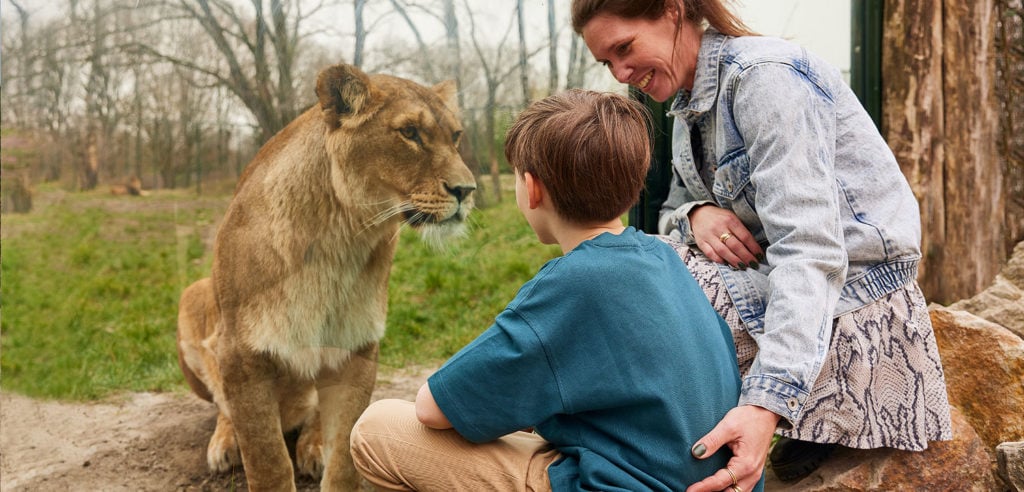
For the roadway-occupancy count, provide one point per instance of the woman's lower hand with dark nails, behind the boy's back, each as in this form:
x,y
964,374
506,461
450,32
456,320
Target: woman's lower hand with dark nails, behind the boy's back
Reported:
x,y
748,431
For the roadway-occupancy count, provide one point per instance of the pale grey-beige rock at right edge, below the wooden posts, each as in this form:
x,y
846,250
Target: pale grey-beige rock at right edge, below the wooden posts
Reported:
x,y
1003,303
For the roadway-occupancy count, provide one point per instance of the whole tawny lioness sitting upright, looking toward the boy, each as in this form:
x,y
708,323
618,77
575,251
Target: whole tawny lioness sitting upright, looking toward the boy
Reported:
x,y
284,335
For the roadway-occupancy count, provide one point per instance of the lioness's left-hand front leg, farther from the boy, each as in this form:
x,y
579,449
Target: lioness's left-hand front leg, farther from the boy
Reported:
x,y
251,397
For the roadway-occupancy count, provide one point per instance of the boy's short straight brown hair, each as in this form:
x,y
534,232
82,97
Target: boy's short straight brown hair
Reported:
x,y
590,150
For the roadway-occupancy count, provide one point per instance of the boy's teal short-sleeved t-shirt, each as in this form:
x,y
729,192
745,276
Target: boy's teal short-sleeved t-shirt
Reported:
x,y
615,356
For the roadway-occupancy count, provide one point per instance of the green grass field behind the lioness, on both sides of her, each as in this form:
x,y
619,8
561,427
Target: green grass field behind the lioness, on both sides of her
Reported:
x,y
91,286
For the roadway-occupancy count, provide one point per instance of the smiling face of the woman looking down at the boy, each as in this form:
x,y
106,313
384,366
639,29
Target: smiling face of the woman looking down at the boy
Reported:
x,y
651,56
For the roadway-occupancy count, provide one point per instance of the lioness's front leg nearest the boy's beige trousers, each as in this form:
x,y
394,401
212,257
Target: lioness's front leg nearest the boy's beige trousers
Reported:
x,y
344,397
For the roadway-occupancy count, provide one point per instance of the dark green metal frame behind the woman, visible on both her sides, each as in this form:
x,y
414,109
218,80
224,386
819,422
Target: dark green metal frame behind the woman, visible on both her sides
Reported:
x,y
866,79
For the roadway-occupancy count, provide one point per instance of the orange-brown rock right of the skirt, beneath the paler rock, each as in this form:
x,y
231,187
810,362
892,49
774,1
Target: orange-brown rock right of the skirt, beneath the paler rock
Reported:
x,y
985,370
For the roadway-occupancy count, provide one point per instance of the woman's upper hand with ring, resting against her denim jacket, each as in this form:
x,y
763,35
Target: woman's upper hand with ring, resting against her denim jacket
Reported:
x,y
723,238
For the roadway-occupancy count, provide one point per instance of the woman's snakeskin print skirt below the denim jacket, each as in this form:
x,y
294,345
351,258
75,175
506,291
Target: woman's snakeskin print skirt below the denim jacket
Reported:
x,y
882,384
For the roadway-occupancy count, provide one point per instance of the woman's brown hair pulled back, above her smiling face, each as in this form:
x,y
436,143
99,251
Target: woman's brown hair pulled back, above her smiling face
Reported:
x,y
713,12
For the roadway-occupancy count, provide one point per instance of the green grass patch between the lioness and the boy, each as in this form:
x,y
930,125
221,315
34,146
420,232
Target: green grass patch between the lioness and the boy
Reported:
x,y
440,302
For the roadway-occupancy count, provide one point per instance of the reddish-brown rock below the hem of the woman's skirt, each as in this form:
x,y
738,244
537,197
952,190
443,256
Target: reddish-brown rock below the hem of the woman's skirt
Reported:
x,y
962,465
